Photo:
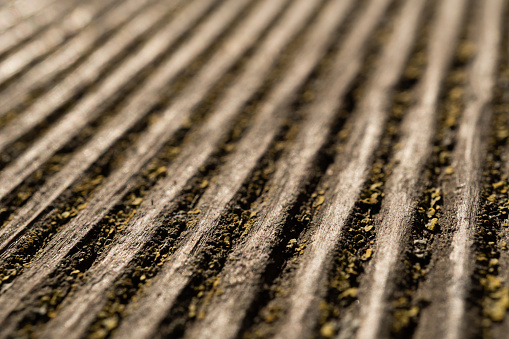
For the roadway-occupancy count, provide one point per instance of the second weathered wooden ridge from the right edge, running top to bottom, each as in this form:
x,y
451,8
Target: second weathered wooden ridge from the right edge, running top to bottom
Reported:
x,y
405,183
